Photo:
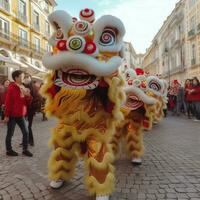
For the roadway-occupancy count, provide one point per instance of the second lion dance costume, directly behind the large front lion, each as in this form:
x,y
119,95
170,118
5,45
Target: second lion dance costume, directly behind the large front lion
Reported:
x,y
134,111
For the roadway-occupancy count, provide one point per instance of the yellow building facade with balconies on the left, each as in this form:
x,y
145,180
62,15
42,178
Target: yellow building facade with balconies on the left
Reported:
x,y
24,32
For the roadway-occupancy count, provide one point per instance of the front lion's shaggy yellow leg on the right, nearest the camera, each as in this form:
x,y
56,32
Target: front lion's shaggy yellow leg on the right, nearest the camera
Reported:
x,y
100,177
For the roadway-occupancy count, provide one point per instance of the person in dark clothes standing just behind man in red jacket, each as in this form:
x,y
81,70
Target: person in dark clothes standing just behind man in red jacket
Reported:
x,y
35,105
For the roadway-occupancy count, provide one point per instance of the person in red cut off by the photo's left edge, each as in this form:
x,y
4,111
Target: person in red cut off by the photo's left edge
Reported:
x,y
3,92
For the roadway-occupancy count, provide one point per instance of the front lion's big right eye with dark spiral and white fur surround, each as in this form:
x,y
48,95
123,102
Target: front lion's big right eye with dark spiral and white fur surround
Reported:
x,y
109,33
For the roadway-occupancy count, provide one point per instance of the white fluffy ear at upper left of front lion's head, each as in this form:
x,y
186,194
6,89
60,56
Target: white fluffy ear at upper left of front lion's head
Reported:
x,y
60,21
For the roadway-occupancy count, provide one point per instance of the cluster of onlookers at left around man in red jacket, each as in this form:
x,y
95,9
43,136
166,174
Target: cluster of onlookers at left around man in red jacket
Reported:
x,y
20,100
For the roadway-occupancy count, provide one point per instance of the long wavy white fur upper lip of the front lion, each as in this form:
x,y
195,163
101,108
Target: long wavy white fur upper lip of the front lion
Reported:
x,y
82,61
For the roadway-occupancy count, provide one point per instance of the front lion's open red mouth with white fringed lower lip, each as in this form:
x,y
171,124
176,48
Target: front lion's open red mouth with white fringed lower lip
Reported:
x,y
76,79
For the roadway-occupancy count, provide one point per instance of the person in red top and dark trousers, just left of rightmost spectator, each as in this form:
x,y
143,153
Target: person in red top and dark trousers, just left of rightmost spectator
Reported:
x,y
188,98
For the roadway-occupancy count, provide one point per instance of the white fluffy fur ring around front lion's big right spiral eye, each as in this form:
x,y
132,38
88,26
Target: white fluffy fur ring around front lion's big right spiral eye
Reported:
x,y
113,22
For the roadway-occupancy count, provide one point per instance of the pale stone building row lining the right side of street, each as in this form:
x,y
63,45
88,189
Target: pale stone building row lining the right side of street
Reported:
x,y
175,50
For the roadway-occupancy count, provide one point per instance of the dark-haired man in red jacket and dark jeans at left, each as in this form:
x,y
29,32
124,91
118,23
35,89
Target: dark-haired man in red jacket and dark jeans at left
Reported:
x,y
17,100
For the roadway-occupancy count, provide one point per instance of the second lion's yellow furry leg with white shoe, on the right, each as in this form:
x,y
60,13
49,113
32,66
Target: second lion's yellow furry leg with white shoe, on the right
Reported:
x,y
134,140
